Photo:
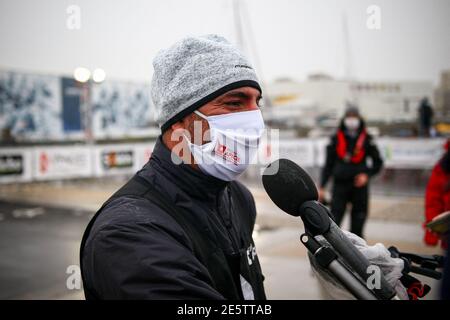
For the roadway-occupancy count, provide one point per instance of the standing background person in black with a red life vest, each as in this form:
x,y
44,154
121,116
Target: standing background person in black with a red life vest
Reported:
x,y
346,162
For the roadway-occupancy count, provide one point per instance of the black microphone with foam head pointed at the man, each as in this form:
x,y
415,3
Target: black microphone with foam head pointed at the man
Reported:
x,y
294,192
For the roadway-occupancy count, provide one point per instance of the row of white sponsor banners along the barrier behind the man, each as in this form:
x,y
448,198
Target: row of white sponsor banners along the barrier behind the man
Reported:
x,y
63,162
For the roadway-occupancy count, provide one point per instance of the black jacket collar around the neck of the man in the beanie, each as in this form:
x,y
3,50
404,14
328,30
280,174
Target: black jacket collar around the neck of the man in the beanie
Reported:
x,y
192,181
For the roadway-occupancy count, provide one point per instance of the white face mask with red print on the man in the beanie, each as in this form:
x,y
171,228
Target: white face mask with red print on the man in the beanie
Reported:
x,y
234,143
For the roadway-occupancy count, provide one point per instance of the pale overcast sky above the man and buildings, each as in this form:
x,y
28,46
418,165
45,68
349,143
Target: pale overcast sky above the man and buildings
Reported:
x,y
292,38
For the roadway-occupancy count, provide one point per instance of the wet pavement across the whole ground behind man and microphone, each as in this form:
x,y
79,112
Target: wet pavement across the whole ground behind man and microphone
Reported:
x,y
41,226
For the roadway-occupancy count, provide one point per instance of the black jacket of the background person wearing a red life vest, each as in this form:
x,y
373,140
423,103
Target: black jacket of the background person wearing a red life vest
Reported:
x,y
345,172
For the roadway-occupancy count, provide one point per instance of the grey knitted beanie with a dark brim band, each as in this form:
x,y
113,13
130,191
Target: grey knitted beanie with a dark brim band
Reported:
x,y
193,72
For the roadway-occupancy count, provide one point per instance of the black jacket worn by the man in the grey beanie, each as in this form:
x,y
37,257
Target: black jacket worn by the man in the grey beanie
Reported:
x,y
136,250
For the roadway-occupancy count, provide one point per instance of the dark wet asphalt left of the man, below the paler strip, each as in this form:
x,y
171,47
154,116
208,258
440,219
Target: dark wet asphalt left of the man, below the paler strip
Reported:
x,y
37,244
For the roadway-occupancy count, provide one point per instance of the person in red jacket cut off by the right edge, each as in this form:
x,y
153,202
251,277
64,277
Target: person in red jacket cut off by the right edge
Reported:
x,y
437,197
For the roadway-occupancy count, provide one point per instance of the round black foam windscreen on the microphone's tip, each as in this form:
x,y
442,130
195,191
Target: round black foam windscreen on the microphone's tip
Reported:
x,y
288,185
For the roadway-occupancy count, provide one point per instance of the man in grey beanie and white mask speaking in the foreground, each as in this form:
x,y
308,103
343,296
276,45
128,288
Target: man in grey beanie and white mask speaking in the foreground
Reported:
x,y
181,228
